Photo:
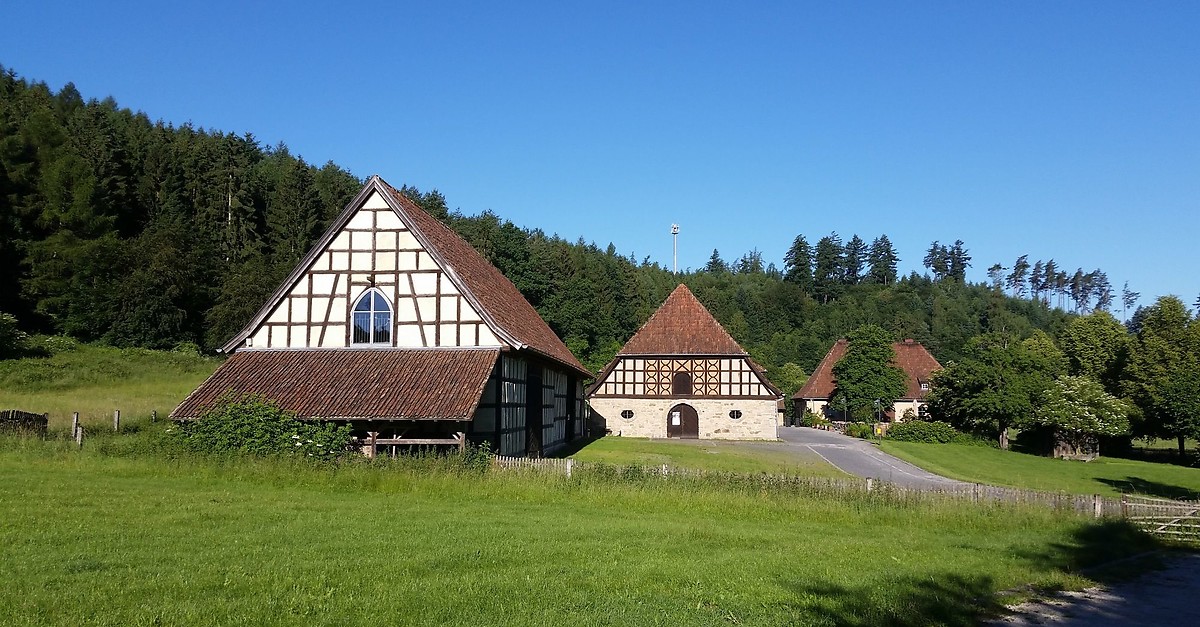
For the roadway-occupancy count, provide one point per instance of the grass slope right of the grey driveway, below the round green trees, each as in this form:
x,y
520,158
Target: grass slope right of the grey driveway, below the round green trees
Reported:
x,y
1105,476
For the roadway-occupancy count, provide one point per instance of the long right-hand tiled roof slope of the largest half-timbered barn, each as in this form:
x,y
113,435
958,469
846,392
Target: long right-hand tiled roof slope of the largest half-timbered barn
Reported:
x,y
499,298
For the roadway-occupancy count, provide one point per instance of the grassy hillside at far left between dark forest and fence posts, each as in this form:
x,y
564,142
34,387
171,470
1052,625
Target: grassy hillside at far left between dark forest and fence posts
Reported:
x,y
97,380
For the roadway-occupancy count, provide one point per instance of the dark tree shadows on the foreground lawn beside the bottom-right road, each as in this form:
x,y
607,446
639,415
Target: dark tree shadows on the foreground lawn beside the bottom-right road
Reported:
x,y
962,599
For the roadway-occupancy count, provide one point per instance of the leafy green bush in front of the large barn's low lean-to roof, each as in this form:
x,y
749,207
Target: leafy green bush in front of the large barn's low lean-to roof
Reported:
x,y
251,425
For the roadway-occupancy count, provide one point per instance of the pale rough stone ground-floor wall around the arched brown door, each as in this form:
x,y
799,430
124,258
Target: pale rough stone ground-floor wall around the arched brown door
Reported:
x,y
758,422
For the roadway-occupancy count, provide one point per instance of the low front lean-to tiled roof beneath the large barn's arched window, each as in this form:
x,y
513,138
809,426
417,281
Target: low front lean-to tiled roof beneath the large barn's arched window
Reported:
x,y
410,385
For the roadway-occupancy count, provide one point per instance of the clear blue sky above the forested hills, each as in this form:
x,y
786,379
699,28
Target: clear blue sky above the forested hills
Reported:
x,y
1066,130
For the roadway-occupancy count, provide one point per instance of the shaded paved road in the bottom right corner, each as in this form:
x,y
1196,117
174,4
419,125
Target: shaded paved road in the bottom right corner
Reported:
x,y
1163,598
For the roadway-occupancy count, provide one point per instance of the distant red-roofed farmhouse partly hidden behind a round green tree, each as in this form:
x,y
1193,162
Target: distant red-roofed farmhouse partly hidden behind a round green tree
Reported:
x,y
919,367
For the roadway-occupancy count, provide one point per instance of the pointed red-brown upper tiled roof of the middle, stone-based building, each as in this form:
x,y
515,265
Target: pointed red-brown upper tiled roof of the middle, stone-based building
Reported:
x,y
682,326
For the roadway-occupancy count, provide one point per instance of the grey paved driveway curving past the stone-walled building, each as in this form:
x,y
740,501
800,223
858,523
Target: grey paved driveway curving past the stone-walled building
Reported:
x,y
860,457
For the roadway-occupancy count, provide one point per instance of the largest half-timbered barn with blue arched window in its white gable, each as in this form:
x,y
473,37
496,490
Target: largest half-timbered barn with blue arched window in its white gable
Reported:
x,y
397,326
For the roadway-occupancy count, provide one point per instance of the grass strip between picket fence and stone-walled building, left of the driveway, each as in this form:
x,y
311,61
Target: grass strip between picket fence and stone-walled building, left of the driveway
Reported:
x,y
728,457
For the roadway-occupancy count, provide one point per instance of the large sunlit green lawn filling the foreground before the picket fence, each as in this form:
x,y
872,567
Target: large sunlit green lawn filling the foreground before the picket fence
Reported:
x,y
135,540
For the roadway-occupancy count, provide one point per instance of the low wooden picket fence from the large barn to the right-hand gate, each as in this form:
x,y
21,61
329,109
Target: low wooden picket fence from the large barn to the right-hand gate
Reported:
x,y
1177,519
